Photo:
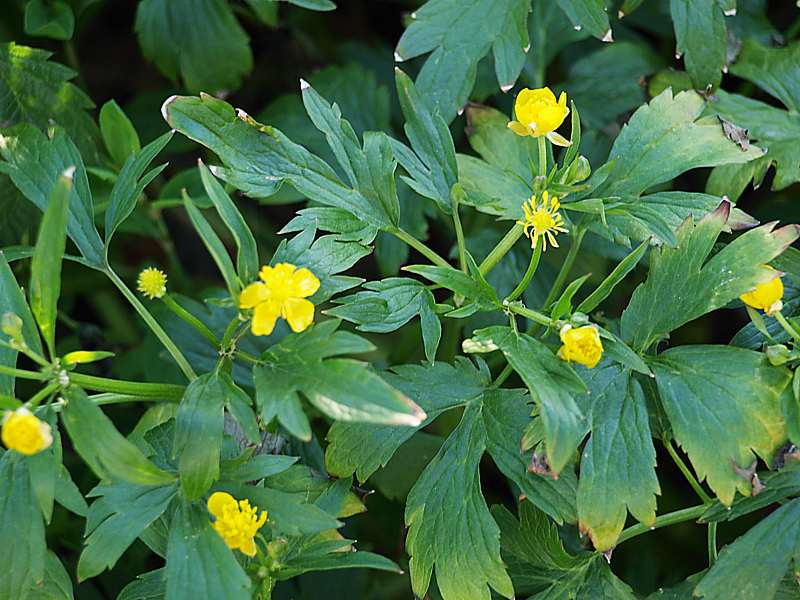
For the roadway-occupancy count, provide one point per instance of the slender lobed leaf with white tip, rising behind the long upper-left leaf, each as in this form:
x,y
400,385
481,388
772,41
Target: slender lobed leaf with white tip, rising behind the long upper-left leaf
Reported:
x,y
370,170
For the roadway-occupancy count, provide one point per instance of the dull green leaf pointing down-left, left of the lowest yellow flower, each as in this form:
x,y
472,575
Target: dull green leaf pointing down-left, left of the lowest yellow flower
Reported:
x,y
120,514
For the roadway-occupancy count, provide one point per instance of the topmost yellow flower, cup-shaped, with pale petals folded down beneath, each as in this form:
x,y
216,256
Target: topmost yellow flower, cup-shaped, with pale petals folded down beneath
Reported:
x,y
539,114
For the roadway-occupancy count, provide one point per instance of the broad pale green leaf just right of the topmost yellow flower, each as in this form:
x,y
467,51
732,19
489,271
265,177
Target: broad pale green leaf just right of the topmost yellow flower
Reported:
x,y
664,139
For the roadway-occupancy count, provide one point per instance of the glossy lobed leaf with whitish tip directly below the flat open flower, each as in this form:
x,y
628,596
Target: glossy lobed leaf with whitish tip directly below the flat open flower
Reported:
x,y
343,389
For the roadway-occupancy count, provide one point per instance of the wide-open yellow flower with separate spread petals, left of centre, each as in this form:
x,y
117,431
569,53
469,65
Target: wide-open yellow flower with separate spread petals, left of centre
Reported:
x,y
282,292
